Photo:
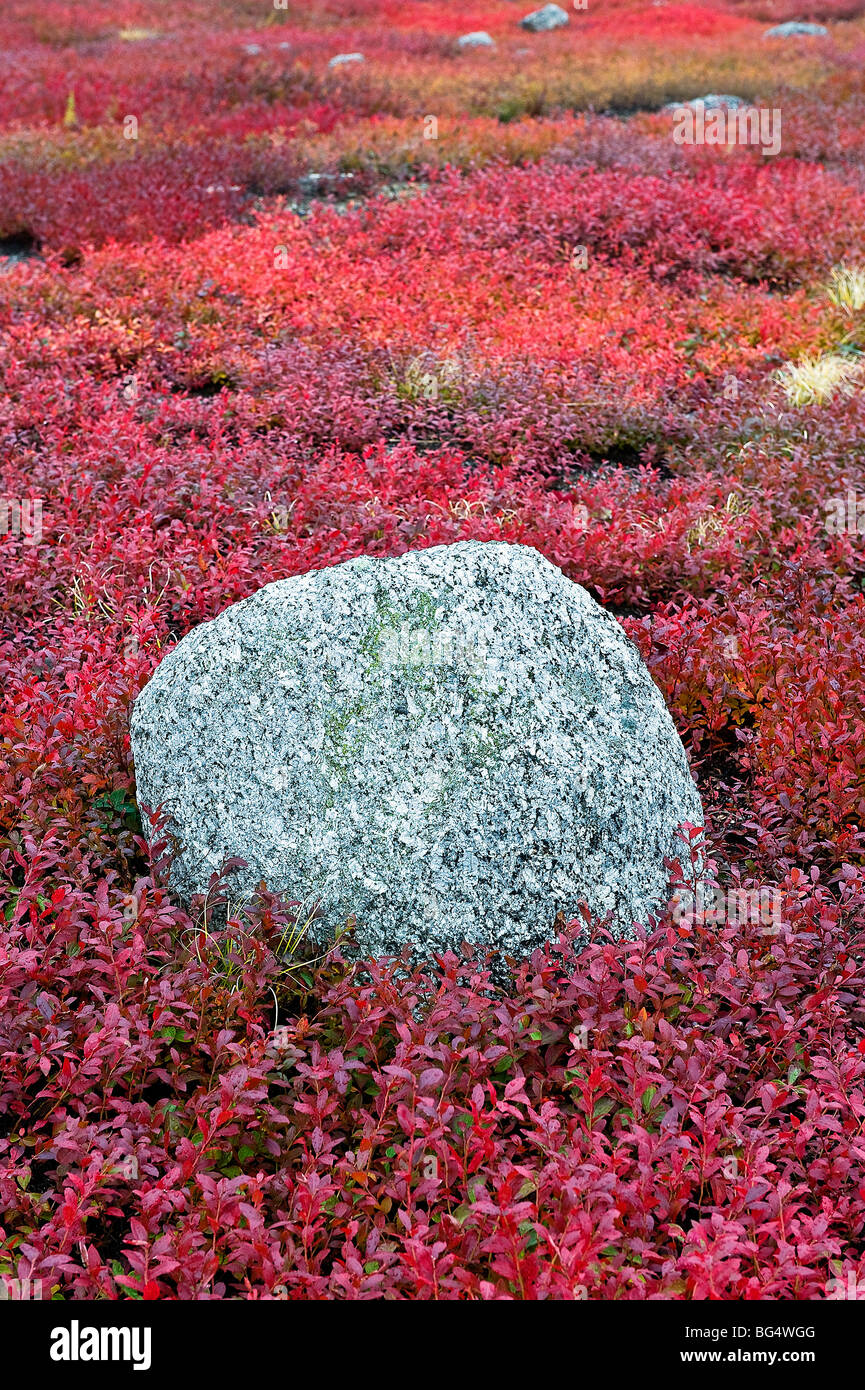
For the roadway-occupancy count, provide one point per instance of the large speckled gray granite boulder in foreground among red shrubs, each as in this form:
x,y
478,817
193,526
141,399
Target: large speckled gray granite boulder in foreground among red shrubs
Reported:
x,y
451,746
